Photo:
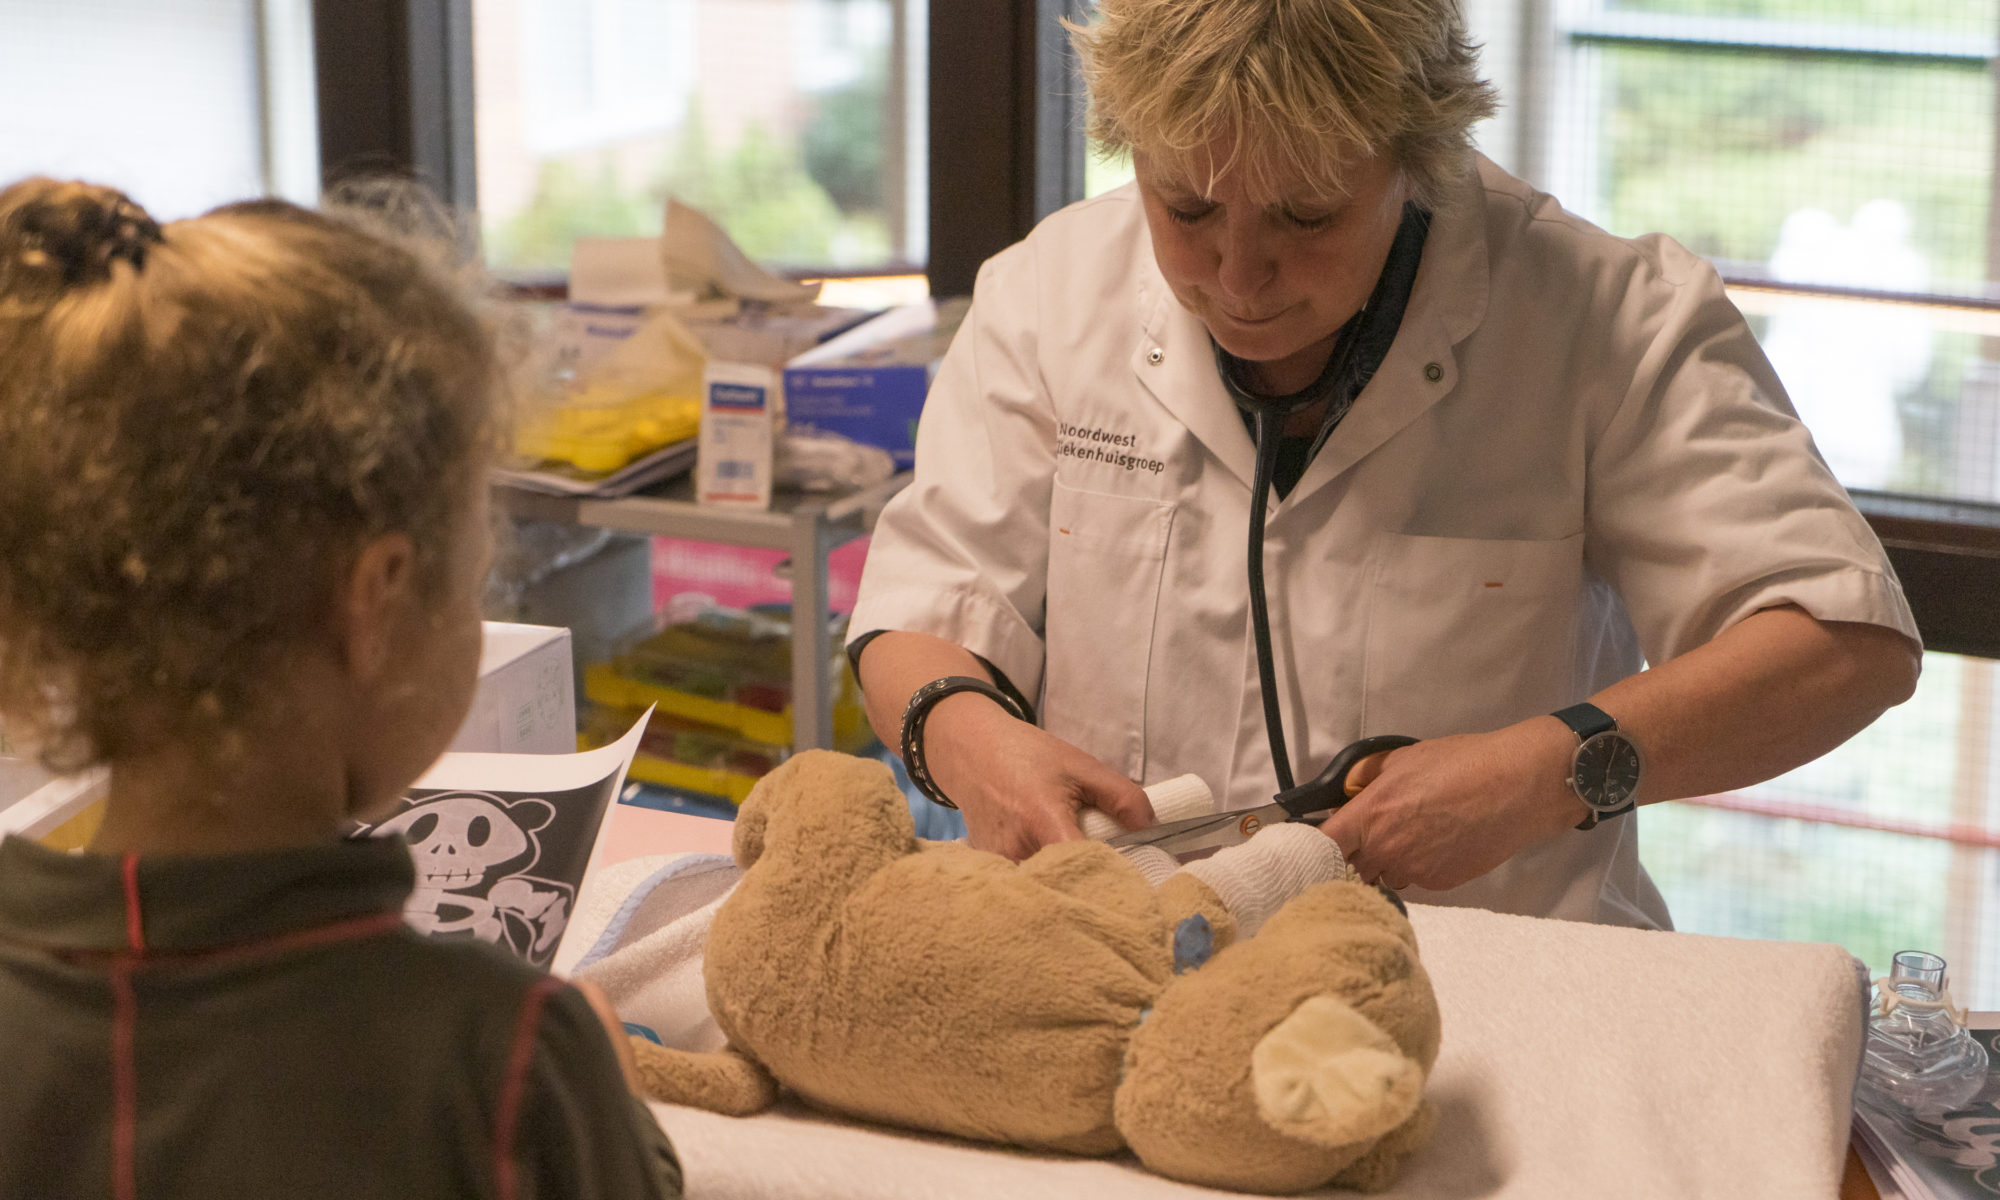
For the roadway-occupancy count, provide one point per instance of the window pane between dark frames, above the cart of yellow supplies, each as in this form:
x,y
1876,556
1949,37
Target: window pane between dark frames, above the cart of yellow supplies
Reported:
x,y
795,123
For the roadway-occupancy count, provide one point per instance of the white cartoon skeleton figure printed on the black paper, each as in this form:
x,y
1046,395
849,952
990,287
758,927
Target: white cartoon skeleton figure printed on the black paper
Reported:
x,y
463,845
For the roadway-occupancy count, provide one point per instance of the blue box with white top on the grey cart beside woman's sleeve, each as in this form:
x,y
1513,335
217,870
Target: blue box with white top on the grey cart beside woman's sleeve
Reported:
x,y
869,383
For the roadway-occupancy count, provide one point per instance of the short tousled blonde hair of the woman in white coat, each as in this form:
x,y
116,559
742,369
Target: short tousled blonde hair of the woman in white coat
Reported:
x,y
1297,87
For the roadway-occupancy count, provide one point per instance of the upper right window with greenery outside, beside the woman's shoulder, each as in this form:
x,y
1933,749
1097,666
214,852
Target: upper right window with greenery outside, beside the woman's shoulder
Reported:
x,y
1815,151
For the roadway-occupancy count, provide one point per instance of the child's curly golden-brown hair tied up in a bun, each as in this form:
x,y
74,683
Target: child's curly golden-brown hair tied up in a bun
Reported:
x,y
201,425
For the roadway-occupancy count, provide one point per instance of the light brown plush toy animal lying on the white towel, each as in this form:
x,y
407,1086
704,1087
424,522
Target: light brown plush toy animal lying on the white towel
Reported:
x,y
1257,1021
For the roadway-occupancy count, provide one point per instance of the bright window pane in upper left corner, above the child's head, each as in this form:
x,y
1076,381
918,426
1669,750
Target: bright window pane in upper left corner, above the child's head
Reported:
x,y
181,103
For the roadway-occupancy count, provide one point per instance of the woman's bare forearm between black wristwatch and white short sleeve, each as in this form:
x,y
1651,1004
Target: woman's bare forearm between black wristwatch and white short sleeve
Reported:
x,y
1771,693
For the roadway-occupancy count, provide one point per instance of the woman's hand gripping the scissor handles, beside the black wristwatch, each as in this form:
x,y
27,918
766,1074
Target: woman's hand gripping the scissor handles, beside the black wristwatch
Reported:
x,y
1447,811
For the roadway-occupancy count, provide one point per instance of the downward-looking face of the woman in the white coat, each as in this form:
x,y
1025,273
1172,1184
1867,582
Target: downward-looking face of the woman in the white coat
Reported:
x,y
1273,277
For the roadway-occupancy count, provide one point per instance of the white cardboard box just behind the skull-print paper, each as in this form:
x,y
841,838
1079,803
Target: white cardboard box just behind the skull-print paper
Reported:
x,y
527,695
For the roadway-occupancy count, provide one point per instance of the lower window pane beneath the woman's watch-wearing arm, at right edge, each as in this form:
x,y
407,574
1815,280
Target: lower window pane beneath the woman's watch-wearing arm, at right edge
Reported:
x,y
1891,843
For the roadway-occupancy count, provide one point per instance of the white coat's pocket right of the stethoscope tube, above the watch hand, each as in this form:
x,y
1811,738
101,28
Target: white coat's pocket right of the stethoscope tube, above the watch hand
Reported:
x,y
1469,635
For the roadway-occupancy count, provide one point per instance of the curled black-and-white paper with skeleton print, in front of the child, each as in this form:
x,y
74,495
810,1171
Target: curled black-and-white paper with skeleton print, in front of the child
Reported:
x,y
503,841
